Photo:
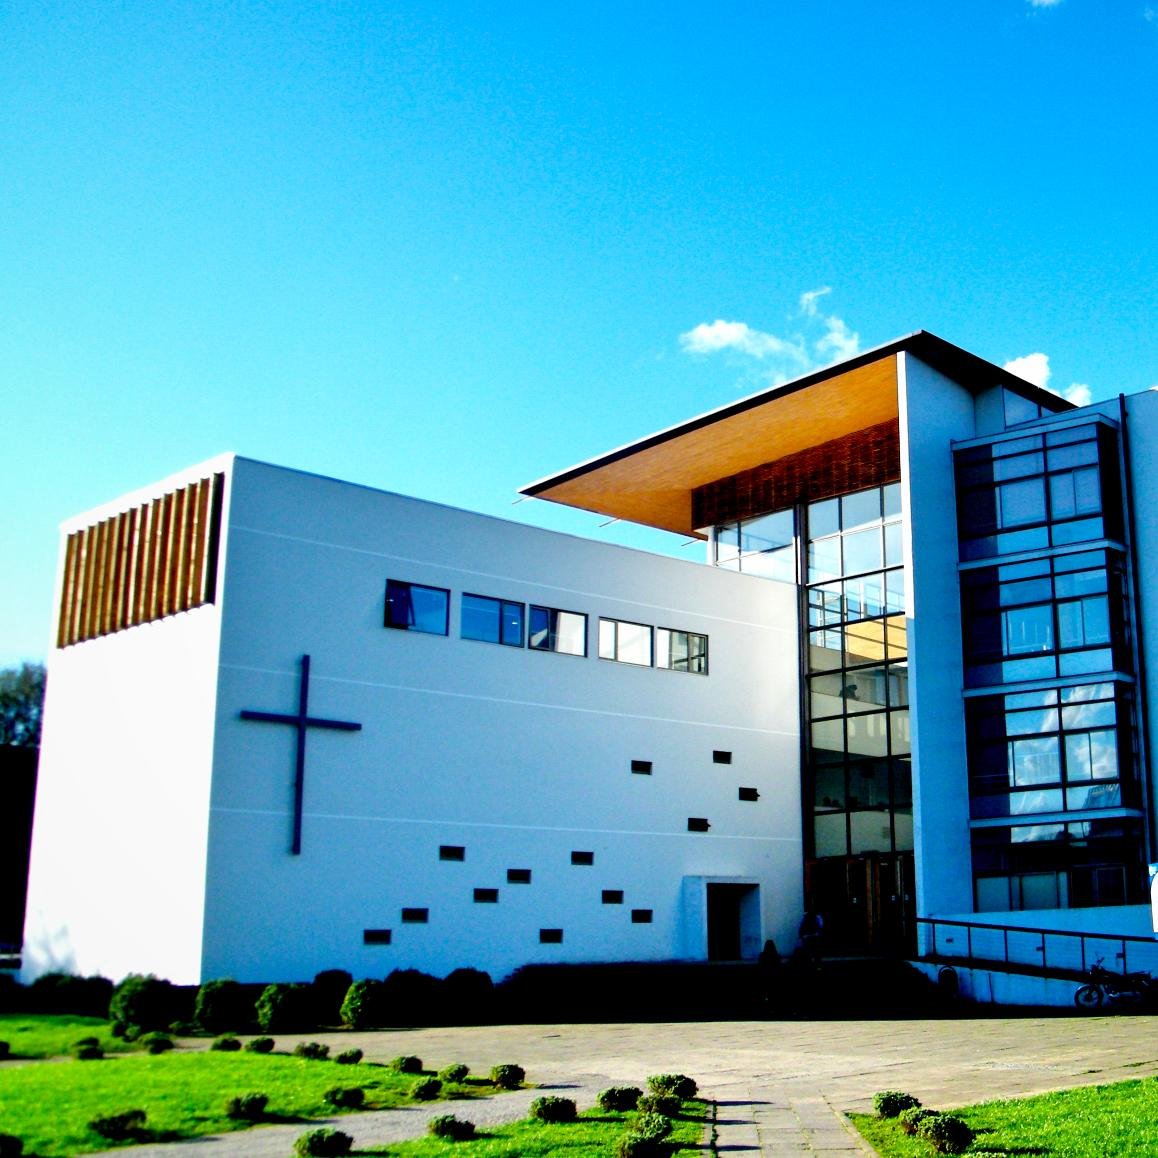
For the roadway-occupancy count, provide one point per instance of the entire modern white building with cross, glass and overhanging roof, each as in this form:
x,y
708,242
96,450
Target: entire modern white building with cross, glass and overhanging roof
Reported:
x,y
297,724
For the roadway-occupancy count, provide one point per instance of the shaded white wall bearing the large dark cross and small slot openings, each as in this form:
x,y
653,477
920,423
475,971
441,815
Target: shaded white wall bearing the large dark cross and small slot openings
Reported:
x,y
521,757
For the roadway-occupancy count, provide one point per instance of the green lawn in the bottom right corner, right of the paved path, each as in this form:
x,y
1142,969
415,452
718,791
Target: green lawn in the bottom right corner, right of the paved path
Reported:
x,y
1088,1123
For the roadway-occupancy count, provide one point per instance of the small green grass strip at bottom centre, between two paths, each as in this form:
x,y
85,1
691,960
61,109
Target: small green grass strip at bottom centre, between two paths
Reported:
x,y
595,1134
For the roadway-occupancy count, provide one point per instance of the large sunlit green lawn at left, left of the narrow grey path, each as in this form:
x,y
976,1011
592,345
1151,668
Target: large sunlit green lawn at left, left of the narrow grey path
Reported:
x,y
49,1105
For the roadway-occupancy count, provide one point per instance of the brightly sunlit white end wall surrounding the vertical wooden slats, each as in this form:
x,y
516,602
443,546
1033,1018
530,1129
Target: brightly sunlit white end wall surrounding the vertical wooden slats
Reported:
x,y
118,873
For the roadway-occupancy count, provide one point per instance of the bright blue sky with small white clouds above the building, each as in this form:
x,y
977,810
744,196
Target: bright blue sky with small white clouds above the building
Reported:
x,y
449,248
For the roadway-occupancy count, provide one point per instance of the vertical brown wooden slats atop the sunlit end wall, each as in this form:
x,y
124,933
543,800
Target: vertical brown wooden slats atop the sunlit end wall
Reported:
x,y
143,565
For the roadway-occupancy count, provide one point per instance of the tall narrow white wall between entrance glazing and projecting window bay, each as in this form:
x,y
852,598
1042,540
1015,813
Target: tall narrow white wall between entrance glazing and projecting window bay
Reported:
x,y
934,412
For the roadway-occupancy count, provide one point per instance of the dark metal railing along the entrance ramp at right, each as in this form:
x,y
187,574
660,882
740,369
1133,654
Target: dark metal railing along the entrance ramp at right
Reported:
x,y
1040,950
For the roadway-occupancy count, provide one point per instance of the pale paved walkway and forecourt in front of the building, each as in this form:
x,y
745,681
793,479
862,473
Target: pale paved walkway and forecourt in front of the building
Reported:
x,y
782,1088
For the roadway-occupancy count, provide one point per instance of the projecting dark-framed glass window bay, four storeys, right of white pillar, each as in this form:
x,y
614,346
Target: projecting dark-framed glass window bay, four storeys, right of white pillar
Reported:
x,y
1053,780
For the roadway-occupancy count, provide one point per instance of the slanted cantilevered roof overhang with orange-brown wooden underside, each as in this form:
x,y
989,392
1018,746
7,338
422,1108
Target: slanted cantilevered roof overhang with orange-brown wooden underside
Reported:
x,y
651,481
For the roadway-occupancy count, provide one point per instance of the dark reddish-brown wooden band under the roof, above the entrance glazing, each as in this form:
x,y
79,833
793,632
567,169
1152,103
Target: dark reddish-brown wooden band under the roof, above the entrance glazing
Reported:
x,y
868,458
